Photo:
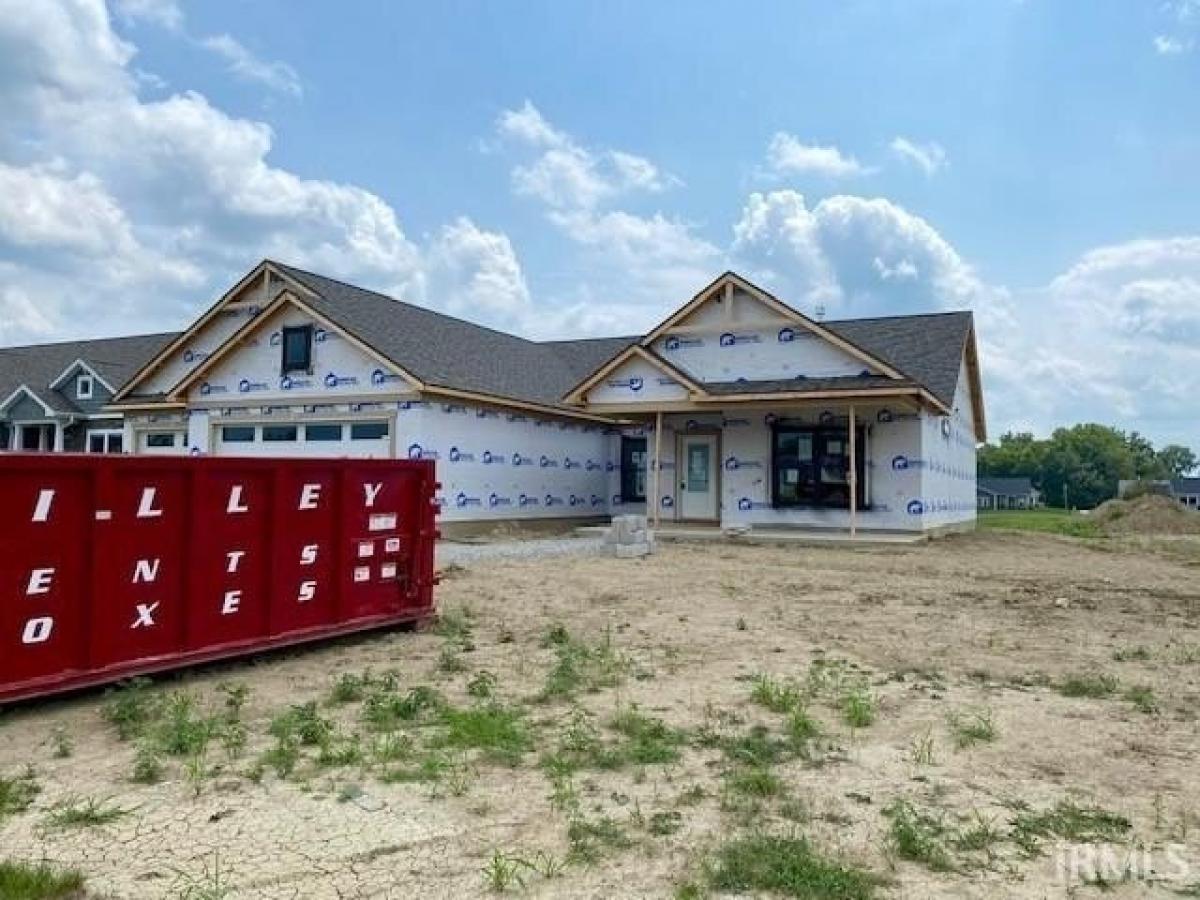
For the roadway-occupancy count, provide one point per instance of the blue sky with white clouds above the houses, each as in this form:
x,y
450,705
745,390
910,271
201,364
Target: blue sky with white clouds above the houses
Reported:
x,y
565,169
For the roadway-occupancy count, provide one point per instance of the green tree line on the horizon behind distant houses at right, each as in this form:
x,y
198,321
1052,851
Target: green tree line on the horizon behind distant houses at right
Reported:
x,y
1081,466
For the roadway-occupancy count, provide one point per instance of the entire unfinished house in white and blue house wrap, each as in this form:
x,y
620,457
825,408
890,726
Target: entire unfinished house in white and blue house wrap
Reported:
x,y
737,411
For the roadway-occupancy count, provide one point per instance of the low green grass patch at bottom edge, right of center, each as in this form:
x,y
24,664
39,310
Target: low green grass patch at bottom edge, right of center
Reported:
x,y
790,867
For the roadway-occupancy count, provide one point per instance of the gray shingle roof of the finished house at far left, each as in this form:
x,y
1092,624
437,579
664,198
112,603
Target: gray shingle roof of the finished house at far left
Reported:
x,y
37,368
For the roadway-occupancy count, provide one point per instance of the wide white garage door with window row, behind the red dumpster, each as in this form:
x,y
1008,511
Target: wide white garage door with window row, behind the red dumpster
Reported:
x,y
362,440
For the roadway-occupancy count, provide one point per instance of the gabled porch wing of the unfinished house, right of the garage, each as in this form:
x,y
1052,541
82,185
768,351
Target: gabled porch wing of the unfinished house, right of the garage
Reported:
x,y
754,415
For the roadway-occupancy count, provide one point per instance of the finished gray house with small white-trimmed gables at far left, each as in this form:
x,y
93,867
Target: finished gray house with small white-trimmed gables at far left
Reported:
x,y
55,397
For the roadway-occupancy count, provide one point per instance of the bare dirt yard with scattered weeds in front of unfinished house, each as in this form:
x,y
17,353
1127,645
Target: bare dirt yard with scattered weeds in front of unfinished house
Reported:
x,y
929,722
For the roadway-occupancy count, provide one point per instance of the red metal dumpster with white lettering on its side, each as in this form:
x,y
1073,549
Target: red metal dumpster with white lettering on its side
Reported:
x,y
113,566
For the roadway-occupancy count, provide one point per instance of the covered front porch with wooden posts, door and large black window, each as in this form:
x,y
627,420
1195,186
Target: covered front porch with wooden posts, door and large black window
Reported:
x,y
789,471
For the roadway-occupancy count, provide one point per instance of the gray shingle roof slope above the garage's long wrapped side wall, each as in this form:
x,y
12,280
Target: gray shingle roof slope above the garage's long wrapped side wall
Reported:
x,y
453,353
